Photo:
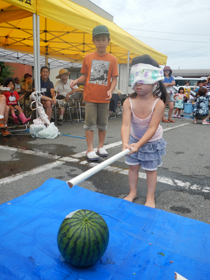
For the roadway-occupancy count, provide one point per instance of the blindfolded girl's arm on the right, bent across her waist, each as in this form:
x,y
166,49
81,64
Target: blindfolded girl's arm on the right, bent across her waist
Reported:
x,y
155,121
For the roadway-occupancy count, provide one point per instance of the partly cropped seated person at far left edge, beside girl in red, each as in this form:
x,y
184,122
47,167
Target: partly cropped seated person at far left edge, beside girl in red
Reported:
x,y
4,113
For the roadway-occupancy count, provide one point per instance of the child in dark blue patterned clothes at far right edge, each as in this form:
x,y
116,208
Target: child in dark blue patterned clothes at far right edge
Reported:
x,y
201,109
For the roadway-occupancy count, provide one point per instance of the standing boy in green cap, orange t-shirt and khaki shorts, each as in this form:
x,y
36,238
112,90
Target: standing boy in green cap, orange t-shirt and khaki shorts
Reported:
x,y
98,69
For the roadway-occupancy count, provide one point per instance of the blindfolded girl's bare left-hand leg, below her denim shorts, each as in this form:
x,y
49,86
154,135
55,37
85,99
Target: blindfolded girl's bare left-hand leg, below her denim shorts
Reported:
x,y
133,176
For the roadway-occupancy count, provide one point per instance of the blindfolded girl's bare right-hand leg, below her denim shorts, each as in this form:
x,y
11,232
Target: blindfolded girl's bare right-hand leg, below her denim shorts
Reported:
x,y
151,186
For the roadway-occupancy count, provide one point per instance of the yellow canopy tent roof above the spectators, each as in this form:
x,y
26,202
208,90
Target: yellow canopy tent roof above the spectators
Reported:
x,y
65,31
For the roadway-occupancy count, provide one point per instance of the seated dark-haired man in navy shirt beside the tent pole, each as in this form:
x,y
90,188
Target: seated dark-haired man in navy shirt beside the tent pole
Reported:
x,y
47,89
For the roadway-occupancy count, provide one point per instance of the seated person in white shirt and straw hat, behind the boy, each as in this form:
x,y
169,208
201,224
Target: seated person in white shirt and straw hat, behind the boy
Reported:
x,y
62,87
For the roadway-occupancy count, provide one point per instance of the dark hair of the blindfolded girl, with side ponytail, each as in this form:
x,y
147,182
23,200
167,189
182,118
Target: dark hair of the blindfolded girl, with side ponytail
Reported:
x,y
160,90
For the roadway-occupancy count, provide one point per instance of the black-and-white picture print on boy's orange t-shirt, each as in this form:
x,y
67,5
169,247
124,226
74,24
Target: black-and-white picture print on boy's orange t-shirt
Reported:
x,y
99,72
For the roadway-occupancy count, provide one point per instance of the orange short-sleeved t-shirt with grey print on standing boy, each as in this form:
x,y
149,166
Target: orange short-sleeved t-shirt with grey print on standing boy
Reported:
x,y
99,70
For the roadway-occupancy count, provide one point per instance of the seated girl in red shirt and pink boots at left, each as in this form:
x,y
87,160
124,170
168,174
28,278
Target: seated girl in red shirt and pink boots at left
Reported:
x,y
12,98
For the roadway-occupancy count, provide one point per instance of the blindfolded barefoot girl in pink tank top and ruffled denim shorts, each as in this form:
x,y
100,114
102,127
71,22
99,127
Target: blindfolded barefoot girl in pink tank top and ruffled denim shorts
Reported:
x,y
141,131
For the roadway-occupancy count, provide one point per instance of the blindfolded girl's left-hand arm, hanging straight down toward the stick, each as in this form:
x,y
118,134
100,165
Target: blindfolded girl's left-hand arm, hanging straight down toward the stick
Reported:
x,y
126,124
